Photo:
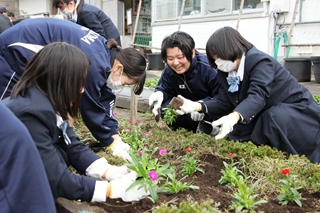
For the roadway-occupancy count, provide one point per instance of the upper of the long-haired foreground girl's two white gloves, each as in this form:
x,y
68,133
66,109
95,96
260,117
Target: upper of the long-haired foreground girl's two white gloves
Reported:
x,y
101,169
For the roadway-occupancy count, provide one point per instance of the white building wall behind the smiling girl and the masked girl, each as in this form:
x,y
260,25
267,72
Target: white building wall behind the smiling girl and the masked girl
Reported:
x,y
259,28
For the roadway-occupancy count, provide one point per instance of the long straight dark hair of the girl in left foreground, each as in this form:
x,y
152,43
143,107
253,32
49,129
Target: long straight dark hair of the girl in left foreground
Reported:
x,y
59,70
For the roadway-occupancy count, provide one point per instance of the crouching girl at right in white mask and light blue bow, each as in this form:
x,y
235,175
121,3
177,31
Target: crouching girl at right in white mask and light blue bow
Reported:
x,y
260,100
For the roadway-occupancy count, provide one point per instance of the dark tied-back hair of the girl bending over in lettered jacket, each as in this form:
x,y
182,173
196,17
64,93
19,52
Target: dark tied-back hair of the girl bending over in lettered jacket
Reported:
x,y
134,64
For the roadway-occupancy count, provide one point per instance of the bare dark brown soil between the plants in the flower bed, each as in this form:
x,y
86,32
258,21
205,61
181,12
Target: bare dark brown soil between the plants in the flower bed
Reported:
x,y
208,188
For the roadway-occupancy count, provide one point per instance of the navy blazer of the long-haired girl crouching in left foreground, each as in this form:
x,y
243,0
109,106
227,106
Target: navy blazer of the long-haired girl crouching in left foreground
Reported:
x,y
37,114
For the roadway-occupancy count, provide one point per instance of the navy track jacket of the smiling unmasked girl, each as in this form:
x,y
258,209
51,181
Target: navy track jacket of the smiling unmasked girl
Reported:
x,y
199,82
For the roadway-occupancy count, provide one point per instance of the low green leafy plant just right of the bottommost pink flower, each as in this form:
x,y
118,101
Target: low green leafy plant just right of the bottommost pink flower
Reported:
x,y
175,185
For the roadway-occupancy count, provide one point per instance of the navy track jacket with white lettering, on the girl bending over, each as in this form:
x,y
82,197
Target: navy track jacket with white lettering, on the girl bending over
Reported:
x,y
20,42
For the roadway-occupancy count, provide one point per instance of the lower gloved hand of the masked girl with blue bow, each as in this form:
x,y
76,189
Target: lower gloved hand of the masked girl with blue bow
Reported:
x,y
226,124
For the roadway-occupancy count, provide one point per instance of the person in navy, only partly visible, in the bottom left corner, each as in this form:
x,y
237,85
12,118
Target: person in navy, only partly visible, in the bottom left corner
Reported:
x,y
24,186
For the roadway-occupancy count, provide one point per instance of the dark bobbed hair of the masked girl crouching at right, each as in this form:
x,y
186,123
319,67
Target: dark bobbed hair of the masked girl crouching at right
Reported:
x,y
227,44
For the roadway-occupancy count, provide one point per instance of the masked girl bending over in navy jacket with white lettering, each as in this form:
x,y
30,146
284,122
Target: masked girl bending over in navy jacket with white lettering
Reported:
x,y
111,68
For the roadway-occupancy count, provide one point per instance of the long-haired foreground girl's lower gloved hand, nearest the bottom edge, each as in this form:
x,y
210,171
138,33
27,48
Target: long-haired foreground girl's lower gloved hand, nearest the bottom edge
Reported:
x,y
118,189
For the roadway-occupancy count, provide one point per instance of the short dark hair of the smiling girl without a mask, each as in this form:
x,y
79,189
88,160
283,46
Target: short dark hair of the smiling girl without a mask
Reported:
x,y
181,40
